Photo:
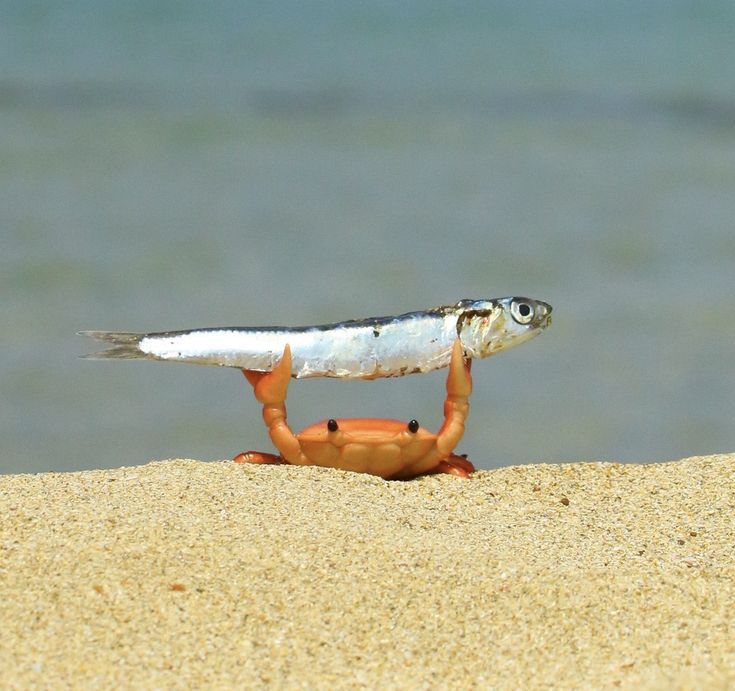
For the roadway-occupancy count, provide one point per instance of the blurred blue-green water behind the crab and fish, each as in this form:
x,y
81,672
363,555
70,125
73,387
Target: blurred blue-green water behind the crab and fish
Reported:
x,y
169,165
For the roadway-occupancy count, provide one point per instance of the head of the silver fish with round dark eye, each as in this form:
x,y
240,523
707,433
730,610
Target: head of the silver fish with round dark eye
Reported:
x,y
486,327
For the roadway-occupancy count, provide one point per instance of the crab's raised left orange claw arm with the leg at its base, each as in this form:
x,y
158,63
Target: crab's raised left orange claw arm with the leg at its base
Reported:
x,y
270,389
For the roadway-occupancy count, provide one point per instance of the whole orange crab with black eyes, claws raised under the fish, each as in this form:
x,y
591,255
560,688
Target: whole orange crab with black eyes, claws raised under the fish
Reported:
x,y
391,449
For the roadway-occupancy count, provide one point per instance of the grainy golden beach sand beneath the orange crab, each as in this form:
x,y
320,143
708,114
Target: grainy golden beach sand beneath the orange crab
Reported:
x,y
191,574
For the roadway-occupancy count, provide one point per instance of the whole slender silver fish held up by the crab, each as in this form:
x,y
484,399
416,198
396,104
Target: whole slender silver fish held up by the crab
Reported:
x,y
356,349
